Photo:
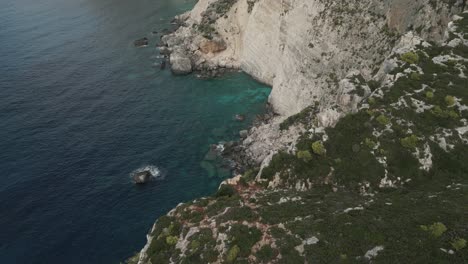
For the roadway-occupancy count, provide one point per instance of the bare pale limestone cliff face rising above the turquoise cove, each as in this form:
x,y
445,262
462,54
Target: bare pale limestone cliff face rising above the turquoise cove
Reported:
x,y
303,47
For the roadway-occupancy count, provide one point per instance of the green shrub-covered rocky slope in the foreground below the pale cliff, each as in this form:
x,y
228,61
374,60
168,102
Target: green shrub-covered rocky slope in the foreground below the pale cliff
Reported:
x,y
387,184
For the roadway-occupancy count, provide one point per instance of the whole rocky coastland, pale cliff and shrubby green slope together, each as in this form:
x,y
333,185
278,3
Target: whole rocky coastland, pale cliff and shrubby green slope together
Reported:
x,y
372,170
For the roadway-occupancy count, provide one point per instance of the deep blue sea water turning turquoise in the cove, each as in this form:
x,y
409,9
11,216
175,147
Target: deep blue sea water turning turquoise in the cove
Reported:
x,y
81,108
